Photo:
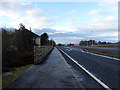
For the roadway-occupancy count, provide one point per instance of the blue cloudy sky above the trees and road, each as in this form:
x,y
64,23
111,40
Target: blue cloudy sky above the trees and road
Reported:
x,y
64,22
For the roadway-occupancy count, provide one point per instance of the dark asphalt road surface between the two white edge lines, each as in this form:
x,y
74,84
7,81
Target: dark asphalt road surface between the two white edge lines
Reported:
x,y
105,69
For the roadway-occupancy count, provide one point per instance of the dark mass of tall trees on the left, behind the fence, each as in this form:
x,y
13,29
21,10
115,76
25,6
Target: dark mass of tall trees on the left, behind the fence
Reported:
x,y
18,46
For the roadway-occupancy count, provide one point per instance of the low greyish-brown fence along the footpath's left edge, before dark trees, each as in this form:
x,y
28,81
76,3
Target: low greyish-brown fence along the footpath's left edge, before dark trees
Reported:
x,y
40,52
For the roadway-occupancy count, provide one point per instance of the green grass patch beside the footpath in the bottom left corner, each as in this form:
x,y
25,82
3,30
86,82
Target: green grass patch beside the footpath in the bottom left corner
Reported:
x,y
6,80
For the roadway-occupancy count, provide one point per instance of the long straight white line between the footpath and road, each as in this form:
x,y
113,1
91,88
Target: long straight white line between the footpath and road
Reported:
x,y
95,78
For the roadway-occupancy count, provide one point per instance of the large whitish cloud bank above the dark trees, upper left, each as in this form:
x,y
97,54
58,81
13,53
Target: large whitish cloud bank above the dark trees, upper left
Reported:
x,y
26,13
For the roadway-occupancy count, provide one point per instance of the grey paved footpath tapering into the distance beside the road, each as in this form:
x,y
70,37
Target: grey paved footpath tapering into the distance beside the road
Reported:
x,y
54,72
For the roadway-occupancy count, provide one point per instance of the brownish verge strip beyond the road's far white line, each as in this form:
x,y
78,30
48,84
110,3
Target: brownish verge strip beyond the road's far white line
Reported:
x,y
112,53
